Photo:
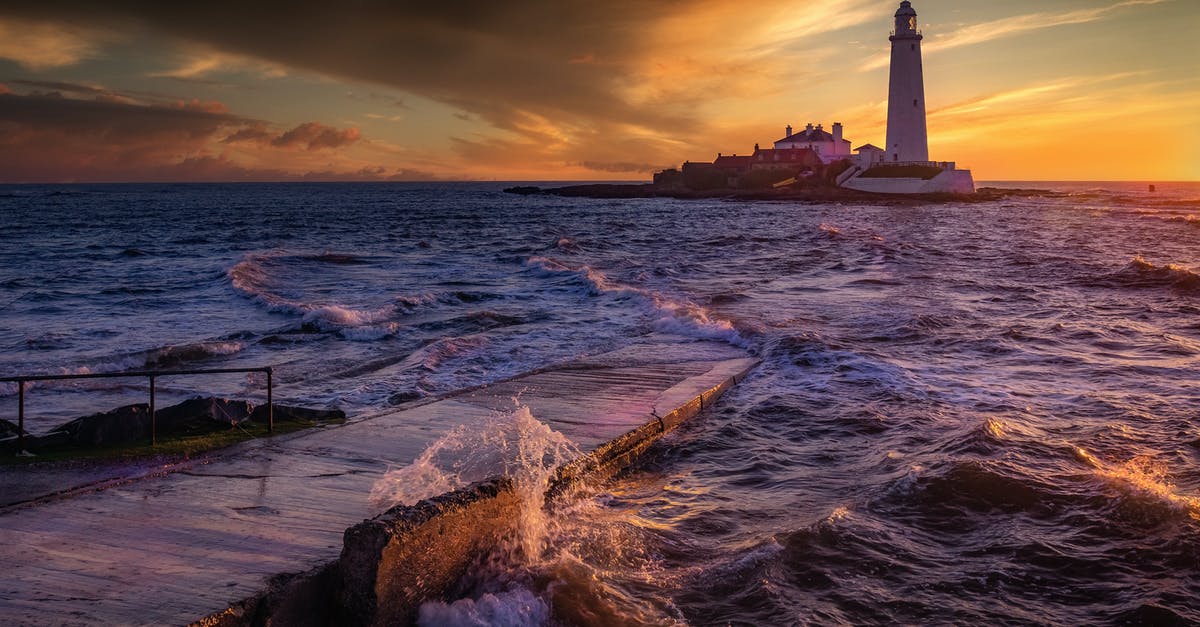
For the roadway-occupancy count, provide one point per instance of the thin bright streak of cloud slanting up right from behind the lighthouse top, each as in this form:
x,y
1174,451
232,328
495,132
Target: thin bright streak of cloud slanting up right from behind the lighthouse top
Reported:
x,y
1010,27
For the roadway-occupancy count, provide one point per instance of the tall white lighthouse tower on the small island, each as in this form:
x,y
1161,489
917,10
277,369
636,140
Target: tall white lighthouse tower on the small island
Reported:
x,y
908,140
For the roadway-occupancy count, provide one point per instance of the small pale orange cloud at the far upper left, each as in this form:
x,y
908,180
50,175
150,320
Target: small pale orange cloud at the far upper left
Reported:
x,y
41,45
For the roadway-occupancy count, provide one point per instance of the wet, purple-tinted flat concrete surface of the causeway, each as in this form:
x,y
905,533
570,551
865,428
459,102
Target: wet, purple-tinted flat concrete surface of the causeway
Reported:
x,y
184,545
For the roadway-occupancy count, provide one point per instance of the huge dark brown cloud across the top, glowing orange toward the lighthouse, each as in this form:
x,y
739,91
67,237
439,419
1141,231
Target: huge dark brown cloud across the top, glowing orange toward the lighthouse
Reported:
x,y
567,62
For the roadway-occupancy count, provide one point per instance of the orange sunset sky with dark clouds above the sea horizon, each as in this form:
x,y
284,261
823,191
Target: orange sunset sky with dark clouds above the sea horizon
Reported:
x,y
130,91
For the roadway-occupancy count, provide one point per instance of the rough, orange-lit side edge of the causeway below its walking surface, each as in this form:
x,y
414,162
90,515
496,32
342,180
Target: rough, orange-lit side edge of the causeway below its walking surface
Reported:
x,y
410,554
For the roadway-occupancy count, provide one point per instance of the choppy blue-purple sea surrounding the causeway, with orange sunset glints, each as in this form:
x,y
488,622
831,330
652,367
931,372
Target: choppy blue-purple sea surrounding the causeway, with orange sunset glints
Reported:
x,y
965,414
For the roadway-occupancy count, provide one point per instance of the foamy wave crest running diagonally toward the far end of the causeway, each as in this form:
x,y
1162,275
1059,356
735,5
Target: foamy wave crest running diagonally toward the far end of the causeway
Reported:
x,y
671,315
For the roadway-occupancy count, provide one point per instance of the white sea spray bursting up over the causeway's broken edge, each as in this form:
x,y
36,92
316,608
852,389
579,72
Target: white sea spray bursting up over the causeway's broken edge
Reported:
x,y
557,566
